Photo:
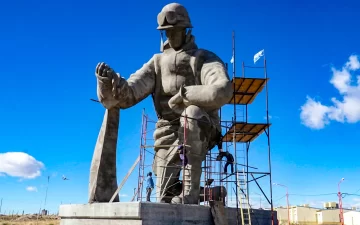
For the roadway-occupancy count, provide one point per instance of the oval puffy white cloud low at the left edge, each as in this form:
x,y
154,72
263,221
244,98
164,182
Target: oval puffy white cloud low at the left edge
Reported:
x,y
20,164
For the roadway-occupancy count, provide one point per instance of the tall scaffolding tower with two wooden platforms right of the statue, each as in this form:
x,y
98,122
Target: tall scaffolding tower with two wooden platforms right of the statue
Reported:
x,y
240,133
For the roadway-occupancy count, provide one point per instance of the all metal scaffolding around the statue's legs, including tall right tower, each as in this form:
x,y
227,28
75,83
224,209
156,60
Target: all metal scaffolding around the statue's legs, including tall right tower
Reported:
x,y
238,134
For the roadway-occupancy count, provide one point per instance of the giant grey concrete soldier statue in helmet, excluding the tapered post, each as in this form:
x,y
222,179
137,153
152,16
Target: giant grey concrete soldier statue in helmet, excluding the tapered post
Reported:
x,y
183,80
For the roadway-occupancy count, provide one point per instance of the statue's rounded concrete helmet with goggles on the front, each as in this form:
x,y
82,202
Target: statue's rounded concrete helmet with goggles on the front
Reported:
x,y
173,15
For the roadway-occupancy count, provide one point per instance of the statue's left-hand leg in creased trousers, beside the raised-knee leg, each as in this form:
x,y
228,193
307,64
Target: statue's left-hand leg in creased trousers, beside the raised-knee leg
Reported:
x,y
166,165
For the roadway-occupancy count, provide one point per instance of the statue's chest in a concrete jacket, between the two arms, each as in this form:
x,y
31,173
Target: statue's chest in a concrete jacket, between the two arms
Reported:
x,y
176,71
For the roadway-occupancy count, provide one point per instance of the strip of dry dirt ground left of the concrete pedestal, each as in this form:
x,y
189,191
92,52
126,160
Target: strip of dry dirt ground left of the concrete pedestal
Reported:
x,y
29,220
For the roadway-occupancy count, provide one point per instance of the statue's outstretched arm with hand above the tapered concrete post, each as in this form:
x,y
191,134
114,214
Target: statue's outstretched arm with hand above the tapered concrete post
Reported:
x,y
122,93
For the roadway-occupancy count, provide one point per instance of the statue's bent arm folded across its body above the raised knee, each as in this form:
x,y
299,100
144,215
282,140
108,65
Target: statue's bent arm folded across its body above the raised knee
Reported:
x,y
216,89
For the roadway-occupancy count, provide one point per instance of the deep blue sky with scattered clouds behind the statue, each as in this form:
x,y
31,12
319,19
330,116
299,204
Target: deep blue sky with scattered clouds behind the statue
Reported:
x,y
49,50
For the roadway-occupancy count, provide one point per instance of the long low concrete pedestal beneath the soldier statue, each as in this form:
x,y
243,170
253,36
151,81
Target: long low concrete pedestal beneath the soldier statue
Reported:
x,y
136,213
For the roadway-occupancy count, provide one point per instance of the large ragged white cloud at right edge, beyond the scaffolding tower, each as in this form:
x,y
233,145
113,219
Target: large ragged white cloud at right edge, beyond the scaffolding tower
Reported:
x,y
316,115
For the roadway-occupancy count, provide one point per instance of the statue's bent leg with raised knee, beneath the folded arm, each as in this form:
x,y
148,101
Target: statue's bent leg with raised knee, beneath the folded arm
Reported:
x,y
199,133
